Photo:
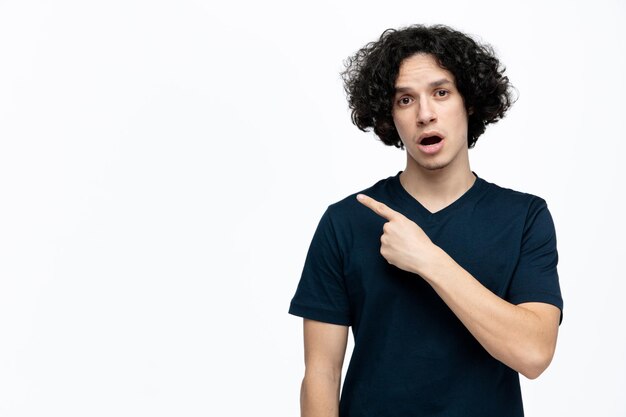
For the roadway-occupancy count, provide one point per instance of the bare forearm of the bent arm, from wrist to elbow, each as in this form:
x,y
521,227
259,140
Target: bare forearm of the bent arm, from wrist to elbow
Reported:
x,y
512,334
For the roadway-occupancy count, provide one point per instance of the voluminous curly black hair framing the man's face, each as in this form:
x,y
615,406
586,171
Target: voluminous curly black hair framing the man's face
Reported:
x,y
369,78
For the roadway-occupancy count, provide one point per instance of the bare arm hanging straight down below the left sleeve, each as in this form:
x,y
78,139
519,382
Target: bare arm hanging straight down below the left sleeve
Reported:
x,y
324,352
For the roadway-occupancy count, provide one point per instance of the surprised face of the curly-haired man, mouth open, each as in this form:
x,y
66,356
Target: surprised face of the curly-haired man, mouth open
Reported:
x,y
430,116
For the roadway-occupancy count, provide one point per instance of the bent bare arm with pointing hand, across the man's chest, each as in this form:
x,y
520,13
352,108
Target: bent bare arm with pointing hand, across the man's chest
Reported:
x,y
522,336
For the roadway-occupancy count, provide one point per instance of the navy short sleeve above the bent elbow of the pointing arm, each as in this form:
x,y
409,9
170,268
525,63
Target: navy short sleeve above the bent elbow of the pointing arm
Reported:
x,y
535,278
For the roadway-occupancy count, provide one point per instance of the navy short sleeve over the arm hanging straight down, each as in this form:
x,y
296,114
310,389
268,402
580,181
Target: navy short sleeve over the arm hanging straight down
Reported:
x,y
321,293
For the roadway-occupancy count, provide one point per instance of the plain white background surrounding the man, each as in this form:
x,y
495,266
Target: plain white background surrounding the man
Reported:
x,y
163,165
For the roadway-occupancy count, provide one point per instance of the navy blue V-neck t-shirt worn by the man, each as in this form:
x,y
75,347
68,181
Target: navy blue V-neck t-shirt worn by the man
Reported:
x,y
412,356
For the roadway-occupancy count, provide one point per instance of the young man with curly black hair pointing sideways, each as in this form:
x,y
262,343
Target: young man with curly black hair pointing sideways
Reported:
x,y
449,281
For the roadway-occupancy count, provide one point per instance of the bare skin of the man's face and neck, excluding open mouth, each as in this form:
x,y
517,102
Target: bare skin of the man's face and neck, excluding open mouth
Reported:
x,y
427,100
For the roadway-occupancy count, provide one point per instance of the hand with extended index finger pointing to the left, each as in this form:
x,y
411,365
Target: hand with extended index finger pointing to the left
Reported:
x,y
403,243
